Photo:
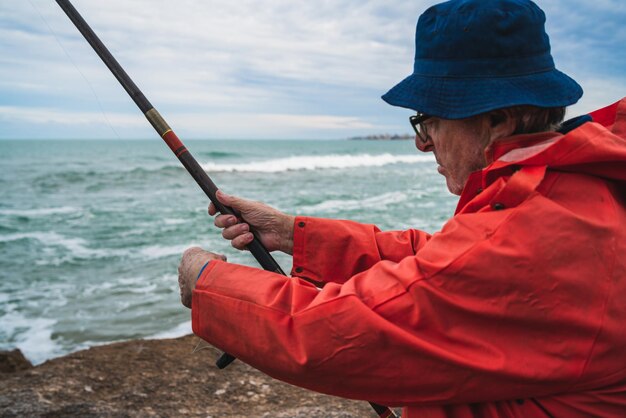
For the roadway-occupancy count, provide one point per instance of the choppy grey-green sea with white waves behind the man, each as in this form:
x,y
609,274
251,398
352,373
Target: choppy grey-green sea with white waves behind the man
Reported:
x,y
92,231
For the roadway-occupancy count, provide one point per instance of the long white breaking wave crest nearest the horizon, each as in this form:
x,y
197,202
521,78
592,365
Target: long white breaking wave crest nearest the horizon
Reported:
x,y
316,162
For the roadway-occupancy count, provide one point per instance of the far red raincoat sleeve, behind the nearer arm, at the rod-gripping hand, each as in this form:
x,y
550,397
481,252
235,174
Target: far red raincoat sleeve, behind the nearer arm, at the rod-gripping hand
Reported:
x,y
328,250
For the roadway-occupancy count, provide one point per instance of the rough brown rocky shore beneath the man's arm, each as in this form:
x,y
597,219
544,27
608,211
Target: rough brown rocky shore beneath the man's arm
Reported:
x,y
155,378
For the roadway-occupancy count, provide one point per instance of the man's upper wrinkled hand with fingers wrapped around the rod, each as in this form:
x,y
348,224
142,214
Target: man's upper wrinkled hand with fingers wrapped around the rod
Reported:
x,y
274,228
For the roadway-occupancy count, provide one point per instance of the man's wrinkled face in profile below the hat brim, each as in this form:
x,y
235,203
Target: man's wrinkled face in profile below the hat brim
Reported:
x,y
459,147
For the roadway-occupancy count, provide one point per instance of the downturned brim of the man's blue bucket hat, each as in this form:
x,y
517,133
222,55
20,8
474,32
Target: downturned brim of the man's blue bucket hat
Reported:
x,y
458,98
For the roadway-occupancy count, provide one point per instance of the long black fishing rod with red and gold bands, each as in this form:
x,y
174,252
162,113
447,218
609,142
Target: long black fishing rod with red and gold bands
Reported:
x,y
260,253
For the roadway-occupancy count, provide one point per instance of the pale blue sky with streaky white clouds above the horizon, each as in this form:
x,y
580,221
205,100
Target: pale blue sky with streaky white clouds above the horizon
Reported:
x,y
252,69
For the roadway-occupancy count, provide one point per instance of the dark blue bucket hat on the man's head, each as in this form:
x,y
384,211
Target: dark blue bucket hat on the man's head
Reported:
x,y
473,56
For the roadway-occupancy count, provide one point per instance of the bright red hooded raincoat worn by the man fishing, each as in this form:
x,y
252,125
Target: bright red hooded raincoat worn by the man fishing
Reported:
x,y
516,308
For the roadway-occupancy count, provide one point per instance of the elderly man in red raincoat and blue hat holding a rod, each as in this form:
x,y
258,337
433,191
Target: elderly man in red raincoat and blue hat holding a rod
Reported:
x,y
515,308
